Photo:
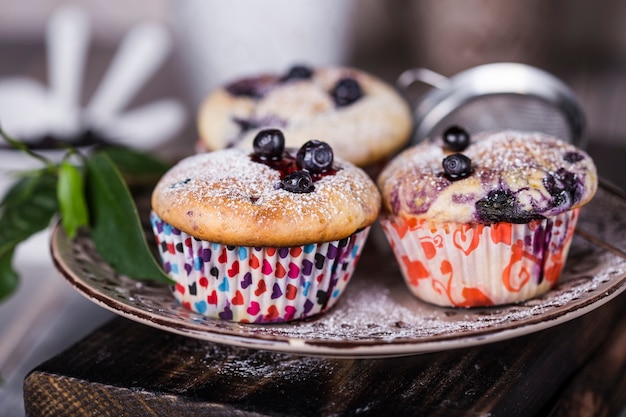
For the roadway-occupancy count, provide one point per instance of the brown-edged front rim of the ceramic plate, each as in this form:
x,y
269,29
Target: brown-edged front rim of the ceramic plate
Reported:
x,y
326,348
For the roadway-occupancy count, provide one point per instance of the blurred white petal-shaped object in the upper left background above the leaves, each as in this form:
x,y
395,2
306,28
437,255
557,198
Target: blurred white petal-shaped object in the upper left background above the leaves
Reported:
x,y
29,111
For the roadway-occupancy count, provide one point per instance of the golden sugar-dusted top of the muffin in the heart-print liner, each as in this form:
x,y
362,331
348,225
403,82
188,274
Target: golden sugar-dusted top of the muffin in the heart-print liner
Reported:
x,y
237,197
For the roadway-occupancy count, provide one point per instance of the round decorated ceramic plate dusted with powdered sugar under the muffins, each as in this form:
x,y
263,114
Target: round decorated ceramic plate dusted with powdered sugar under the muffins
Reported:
x,y
376,316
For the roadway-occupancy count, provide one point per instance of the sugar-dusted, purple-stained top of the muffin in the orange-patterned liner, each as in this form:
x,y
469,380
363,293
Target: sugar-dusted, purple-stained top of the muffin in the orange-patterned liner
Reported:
x,y
510,176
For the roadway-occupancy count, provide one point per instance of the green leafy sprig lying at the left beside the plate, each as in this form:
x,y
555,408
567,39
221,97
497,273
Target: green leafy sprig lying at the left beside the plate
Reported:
x,y
86,192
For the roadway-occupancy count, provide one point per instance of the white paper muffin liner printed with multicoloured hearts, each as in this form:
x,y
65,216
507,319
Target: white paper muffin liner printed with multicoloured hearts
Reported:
x,y
256,284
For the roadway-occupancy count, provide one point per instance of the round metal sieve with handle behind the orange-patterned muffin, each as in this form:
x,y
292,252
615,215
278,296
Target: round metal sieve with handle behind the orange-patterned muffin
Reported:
x,y
495,97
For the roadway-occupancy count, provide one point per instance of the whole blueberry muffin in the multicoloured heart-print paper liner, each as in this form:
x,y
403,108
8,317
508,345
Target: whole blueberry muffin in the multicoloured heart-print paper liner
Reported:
x,y
265,235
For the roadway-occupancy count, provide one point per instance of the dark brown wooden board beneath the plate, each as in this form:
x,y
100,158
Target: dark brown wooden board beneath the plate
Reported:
x,y
126,368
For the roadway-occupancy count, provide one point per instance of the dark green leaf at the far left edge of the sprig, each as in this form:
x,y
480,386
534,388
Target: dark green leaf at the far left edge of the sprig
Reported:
x,y
27,208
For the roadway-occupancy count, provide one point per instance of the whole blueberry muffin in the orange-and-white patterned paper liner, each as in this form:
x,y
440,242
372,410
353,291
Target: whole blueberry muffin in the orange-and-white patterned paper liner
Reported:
x,y
486,220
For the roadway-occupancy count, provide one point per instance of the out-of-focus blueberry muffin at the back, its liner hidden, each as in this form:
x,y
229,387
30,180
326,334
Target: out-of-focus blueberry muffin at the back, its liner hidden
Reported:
x,y
363,118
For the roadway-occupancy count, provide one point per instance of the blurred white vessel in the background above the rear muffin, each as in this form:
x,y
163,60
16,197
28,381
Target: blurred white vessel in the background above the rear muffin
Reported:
x,y
221,40
